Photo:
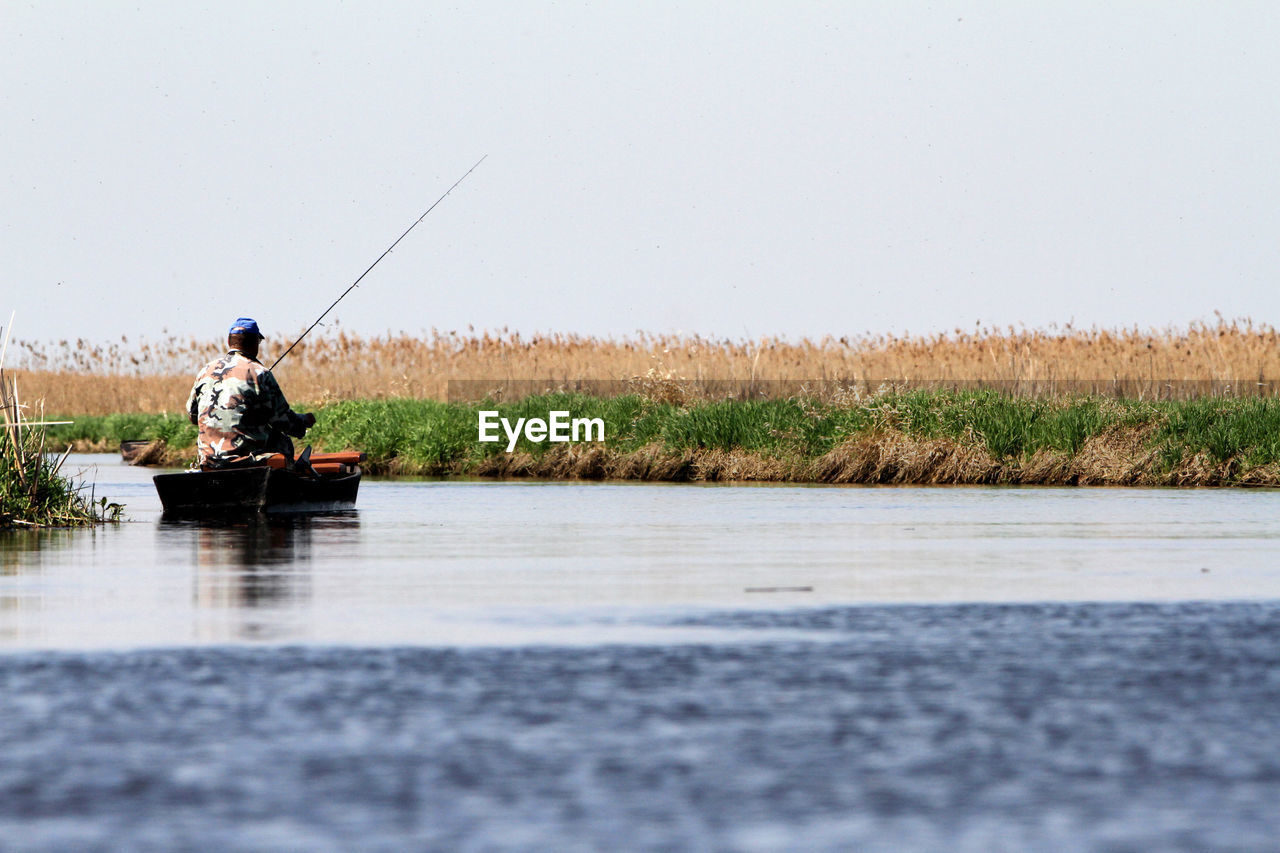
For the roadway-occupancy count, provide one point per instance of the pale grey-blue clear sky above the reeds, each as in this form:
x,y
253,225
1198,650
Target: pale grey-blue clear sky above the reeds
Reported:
x,y
721,168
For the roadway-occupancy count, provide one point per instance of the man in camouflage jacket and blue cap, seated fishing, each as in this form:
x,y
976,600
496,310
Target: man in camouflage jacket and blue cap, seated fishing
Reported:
x,y
240,410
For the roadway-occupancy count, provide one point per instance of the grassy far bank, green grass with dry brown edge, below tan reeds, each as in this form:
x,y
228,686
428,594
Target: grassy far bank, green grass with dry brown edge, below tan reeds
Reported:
x,y
916,437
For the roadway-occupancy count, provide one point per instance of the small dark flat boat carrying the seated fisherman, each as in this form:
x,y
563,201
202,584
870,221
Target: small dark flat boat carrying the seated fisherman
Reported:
x,y
316,483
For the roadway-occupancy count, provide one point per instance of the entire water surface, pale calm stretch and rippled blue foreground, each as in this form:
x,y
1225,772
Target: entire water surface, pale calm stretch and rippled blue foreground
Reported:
x,y
634,667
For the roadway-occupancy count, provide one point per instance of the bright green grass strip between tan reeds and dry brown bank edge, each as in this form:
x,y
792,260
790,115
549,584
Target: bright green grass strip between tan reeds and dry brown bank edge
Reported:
x,y
423,436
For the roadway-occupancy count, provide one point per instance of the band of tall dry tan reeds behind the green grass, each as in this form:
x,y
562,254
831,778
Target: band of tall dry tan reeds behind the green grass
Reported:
x,y
138,376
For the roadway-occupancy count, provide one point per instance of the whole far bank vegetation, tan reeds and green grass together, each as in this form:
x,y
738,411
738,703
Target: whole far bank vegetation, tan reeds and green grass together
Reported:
x,y
1190,407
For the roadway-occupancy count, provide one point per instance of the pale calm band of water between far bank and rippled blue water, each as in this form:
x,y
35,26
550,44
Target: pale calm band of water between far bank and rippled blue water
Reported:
x,y
456,563
